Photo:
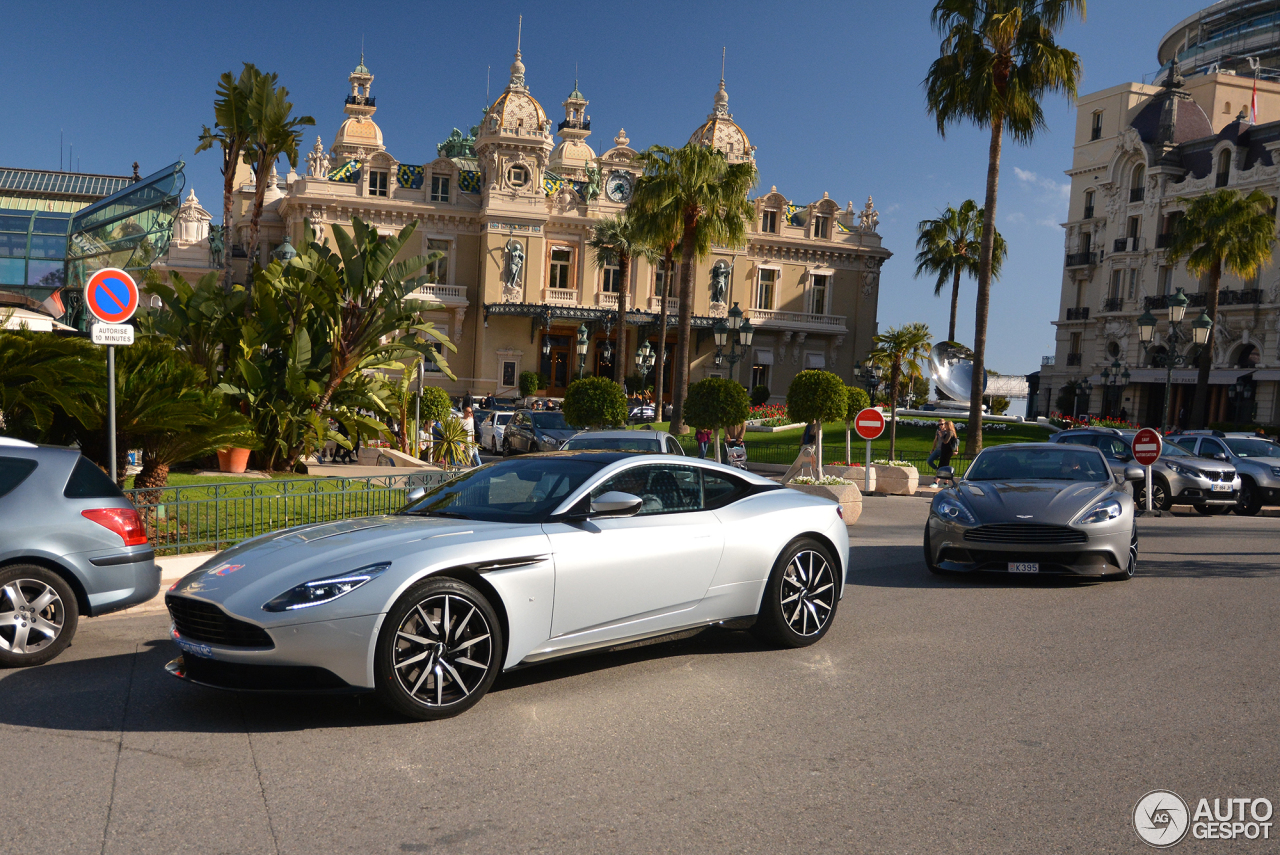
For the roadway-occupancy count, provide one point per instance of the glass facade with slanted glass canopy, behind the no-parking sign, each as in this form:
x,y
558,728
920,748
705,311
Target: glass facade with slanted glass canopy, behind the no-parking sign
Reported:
x,y
48,257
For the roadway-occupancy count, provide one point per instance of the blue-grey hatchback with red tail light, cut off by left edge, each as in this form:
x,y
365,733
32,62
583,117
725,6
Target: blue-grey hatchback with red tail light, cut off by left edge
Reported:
x,y
71,545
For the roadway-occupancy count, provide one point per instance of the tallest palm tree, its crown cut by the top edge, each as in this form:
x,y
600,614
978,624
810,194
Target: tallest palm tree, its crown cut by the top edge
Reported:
x,y
998,61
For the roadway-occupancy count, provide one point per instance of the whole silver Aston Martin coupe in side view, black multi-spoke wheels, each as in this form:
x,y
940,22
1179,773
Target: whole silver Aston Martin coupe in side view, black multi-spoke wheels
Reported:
x,y
510,565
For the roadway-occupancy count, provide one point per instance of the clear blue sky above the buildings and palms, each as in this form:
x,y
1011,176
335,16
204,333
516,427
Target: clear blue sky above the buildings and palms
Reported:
x,y
830,93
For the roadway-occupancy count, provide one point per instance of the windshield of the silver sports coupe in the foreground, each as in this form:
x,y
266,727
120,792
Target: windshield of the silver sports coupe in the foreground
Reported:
x,y
511,491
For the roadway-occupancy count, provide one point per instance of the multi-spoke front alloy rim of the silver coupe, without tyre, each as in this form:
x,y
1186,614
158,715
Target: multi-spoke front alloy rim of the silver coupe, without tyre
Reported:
x,y
444,651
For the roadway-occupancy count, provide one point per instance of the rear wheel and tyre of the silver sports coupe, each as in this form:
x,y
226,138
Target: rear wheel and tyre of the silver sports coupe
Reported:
x,y
802,596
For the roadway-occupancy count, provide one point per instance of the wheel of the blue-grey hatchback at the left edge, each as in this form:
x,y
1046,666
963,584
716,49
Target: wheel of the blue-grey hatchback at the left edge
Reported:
x,y
39,616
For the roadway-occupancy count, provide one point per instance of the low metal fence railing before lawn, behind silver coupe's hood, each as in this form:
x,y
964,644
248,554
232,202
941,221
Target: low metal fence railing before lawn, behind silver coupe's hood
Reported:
x,y
212,516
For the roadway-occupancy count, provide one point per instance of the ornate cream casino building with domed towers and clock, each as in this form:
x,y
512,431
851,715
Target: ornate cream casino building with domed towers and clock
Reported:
x,y
510,207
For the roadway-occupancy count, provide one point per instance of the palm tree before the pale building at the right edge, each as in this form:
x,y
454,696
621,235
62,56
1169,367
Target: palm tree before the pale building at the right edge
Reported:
x,y
1222,231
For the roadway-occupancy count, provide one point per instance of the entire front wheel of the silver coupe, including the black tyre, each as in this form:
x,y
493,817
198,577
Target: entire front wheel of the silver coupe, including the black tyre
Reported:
x,y
440,651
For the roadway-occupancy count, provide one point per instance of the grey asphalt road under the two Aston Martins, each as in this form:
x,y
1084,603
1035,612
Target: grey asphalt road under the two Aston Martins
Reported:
x,y
968,716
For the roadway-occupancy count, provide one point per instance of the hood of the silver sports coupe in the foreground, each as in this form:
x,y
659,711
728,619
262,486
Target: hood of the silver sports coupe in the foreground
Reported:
x,y
246,577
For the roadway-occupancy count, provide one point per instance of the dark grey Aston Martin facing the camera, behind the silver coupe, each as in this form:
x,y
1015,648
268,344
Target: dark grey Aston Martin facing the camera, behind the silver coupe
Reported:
x,y
1036,509
